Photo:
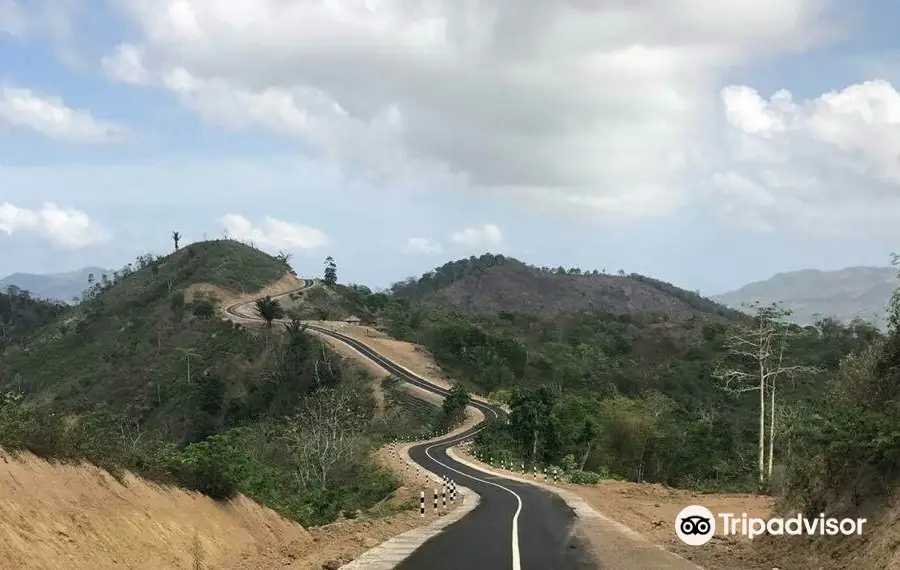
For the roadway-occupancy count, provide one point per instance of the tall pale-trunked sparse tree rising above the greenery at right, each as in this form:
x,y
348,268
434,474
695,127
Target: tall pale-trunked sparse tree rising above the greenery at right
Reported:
x,y
760,347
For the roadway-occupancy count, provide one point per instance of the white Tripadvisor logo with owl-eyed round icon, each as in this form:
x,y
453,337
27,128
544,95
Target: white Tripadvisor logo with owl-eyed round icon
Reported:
x,y
695,525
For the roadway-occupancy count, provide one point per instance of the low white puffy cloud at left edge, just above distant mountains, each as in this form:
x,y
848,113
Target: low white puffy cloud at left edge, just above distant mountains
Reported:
x,y
68,228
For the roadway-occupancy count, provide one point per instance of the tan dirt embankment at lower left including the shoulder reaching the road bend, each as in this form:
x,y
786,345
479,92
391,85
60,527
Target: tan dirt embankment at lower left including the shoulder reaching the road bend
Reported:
x,y
80,517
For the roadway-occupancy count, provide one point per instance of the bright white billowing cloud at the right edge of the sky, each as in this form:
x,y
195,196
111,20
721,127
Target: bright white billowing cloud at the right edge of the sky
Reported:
x,y
826,165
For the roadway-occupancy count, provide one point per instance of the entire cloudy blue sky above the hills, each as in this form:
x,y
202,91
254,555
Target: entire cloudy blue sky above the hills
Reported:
x,y
708,144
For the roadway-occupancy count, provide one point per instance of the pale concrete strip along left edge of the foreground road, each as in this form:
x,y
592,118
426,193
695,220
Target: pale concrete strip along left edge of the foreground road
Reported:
x,y
392,552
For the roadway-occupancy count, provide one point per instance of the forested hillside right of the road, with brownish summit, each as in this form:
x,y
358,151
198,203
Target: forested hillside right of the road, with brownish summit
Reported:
x,y
613,386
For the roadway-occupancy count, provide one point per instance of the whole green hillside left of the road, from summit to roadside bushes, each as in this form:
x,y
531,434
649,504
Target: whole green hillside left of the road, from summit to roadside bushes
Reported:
x,y
134,377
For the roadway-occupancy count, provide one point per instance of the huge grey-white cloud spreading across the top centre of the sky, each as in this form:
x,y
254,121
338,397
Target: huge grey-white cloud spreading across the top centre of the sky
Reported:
x,y
597,106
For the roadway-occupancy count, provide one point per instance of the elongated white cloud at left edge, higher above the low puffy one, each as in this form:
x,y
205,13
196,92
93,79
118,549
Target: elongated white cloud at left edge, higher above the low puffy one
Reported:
x,y
49,116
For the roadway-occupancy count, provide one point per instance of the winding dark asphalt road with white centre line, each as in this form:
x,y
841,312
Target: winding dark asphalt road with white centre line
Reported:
x,y
516,526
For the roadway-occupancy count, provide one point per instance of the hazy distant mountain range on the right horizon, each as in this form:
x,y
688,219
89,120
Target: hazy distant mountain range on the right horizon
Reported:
x,y
845,294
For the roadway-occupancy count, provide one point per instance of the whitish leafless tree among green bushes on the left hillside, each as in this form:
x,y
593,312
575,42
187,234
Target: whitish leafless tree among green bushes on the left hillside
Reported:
x,y
325,433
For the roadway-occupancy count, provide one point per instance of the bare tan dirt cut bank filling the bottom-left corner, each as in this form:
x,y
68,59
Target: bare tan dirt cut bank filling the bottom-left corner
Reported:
x,y
78,516
